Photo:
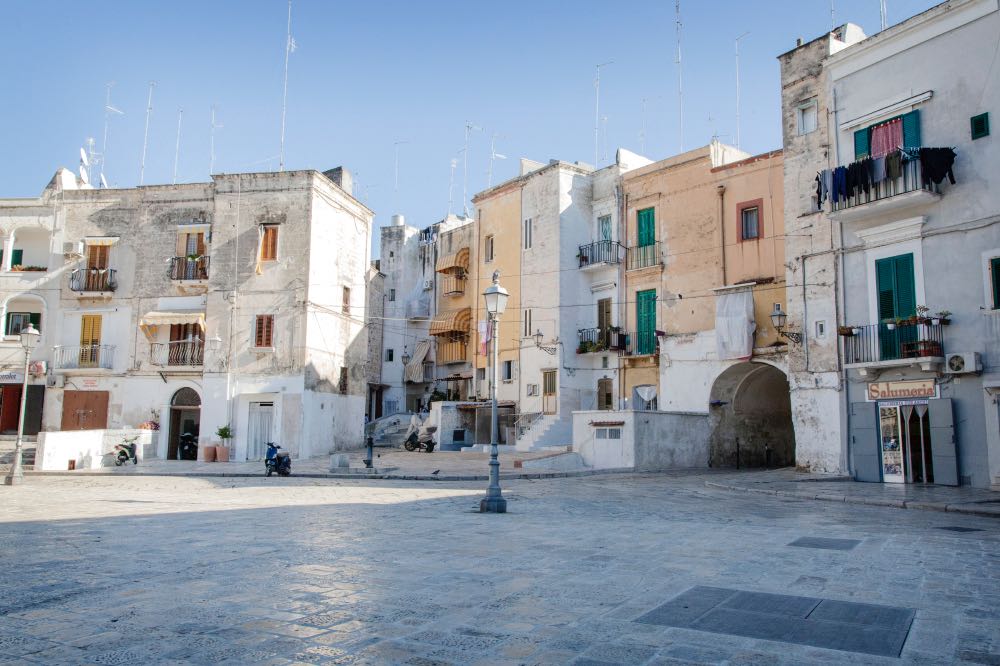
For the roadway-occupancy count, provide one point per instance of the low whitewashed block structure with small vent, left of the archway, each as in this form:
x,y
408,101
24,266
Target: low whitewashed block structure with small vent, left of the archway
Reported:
x,y
641,440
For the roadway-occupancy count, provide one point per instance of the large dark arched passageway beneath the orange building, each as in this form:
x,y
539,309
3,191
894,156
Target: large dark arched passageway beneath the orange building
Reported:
x,y
751,418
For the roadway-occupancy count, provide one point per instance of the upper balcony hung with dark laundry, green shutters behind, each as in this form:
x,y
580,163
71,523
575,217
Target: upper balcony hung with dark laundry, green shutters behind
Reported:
x,y
891,171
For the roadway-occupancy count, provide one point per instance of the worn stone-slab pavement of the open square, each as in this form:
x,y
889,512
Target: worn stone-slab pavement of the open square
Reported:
x,y
128,570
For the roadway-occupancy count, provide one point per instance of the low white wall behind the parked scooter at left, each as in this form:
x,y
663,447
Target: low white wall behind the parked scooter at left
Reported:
x,y
87,448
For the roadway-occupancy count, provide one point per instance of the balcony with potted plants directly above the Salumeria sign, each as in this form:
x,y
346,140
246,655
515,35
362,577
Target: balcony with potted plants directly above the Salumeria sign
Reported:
x,y
878,346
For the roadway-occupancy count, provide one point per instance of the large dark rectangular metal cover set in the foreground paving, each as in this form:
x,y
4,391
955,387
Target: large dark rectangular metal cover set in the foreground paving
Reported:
x,y
823,623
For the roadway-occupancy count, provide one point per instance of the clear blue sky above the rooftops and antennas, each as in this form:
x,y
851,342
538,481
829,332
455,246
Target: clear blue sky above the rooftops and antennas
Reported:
x,y
367,74
